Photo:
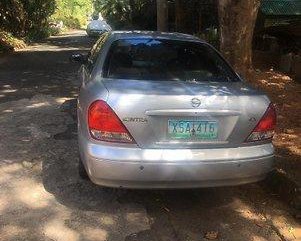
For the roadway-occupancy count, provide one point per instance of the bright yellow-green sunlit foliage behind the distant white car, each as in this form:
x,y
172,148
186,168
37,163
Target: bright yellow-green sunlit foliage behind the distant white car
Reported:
x,y
73,13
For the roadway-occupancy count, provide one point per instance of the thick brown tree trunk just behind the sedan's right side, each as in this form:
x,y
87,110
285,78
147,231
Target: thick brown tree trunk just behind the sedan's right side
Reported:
x,y
237,20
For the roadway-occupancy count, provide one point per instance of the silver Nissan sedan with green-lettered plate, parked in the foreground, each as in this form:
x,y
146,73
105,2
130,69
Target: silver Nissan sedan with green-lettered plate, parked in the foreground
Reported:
x,y
165,110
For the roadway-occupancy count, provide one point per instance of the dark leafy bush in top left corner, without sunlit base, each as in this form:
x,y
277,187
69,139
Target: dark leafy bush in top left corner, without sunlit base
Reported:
x,y
26,17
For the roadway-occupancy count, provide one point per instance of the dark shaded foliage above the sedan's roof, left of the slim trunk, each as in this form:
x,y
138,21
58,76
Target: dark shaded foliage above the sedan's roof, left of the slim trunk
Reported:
x,y
128,14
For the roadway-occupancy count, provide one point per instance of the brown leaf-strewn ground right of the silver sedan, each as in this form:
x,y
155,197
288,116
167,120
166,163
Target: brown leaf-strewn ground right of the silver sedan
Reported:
x,y
285,92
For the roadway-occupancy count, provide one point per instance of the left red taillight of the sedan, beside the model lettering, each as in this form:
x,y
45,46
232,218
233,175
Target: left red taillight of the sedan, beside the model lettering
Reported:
x,y
104,124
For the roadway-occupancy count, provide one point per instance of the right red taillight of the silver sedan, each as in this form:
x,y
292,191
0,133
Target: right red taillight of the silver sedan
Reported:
x,y
265,128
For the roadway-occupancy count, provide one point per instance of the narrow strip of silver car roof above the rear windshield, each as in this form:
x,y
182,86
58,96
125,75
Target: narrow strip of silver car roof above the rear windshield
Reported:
x,y
153,34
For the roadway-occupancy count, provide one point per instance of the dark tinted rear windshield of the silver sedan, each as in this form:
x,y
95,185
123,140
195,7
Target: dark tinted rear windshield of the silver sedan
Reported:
x,y
164,59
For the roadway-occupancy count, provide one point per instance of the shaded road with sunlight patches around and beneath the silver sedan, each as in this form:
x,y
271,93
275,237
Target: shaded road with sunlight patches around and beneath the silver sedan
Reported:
x,y
43,198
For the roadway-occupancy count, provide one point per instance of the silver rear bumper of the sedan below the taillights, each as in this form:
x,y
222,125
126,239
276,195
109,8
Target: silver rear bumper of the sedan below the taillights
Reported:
x,y
157,168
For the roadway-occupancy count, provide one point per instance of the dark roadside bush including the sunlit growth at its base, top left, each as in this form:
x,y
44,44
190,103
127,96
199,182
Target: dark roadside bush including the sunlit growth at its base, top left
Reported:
x,y
22,20
